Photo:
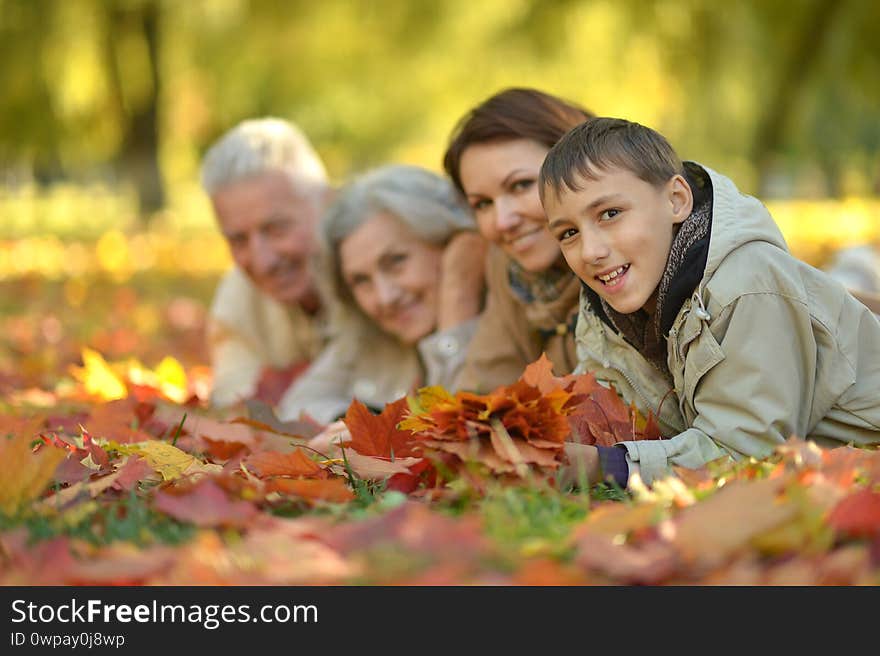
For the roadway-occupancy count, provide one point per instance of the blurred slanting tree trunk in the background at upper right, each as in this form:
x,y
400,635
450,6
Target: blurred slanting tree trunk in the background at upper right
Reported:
x,y
795,73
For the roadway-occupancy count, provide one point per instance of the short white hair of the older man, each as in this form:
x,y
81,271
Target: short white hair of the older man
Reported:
x,y
257,146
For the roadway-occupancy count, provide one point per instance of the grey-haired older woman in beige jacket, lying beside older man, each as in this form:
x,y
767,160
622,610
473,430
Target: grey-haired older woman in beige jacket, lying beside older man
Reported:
x,y
404,264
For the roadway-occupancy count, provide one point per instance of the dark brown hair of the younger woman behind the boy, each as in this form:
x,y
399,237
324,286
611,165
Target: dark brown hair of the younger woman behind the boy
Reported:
x,y
514,113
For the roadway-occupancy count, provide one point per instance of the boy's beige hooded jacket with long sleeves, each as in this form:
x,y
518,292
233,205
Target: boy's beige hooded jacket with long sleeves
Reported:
x,y
765,348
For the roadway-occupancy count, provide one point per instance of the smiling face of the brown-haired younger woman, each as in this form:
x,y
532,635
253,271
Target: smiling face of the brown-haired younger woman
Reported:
x,y
500,180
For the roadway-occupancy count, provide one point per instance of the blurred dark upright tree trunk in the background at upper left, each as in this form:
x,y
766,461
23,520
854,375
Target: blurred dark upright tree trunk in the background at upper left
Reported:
x,y
138,156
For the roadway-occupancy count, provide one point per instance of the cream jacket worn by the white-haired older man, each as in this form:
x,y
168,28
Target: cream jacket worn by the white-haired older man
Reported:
x,y
247,331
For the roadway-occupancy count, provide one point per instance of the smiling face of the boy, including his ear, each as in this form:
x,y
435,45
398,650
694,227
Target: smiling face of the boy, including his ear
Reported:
x,y
616,232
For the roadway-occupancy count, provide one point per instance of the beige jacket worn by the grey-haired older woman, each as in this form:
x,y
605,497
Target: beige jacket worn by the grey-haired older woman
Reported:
x,y
375,369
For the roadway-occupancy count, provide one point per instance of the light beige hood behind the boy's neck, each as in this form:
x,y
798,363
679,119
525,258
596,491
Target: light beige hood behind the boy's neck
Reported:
x,y
737,218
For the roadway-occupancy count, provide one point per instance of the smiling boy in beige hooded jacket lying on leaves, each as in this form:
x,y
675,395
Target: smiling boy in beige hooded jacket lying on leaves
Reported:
x,y
693,308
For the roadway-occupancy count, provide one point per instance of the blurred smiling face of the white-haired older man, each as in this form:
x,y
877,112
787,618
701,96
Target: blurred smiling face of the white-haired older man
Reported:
x,y
269,226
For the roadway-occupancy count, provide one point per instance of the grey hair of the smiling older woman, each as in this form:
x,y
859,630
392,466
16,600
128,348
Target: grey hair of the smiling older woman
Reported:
x,y
425,202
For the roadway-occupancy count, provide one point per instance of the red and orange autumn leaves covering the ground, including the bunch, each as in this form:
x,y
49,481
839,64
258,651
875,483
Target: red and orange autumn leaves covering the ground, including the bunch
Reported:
x,y
248,490
